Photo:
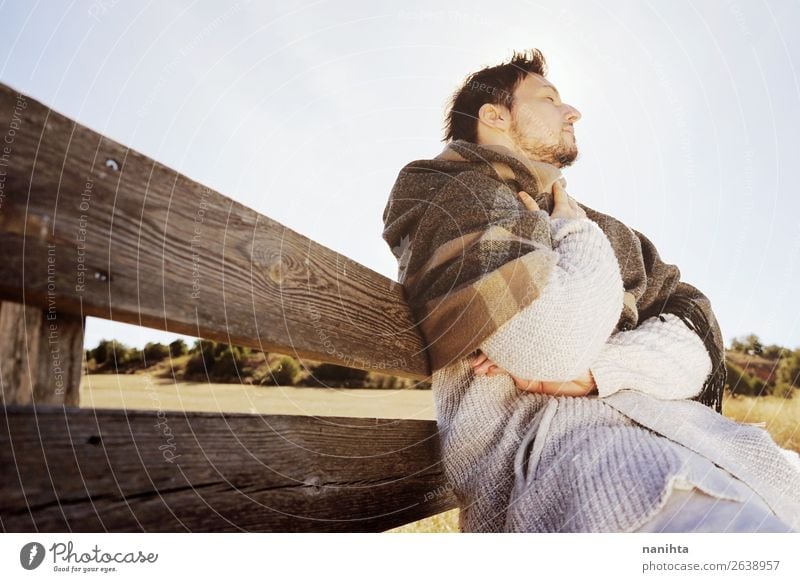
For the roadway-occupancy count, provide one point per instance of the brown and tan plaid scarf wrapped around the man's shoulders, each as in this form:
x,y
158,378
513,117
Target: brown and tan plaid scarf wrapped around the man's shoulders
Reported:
x,y
467,252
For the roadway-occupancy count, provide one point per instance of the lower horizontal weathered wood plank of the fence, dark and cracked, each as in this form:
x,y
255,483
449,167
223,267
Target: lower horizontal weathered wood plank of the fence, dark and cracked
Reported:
x,y
95,470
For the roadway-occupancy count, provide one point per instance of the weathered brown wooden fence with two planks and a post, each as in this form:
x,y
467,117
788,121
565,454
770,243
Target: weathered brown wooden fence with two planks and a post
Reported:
x,y
89,227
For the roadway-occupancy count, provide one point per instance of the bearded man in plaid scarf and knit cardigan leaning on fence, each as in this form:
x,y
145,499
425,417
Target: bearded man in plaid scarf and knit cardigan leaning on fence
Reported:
x,y
563,350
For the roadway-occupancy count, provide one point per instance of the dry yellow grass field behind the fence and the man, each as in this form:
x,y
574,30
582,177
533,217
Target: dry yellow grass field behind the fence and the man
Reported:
x,y
781,417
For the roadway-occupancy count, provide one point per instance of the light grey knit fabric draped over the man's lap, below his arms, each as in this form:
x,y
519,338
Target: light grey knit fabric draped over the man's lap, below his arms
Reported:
x,y
524,462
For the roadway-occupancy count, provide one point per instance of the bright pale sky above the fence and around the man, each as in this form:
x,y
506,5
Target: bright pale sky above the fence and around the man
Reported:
x,y
306,111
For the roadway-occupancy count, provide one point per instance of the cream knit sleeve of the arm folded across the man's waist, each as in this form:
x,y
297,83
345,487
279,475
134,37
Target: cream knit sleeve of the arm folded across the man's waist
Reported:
x,y
661,357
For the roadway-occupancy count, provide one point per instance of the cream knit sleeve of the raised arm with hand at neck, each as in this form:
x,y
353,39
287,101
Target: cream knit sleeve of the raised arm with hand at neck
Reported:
x,y
561,333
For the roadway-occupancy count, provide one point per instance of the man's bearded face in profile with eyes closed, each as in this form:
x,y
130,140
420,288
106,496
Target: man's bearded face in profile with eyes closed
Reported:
x,y
541,125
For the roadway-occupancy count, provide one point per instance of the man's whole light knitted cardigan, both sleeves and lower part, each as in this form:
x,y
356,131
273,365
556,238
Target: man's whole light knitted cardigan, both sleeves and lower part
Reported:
x,y
530,462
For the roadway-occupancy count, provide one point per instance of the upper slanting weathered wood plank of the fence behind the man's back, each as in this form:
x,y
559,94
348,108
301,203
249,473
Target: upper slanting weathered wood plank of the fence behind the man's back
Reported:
x,y
119,236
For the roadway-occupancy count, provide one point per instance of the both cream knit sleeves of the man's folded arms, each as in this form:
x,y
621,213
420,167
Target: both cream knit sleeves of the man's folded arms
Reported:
x,y
566,330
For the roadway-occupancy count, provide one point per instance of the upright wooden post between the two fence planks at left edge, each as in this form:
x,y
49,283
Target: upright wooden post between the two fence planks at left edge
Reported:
x,y
41,355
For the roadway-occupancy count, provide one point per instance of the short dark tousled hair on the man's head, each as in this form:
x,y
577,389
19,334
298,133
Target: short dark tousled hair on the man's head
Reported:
x,y
494,85
